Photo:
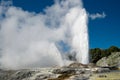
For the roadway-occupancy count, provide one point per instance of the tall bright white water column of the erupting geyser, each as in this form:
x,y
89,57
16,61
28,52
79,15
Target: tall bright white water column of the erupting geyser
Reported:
x,y
80,36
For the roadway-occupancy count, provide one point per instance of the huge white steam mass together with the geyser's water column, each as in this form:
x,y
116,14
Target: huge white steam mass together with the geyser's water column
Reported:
x,y
29,39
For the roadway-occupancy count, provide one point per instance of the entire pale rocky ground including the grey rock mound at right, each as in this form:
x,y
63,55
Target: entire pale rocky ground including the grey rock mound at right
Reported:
x,y
106,68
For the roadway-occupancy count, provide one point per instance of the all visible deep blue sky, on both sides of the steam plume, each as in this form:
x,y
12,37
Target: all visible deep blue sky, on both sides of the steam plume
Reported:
x,y
103,33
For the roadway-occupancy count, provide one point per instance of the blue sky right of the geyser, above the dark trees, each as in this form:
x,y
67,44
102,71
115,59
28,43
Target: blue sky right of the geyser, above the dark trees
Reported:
x,y
104,32
